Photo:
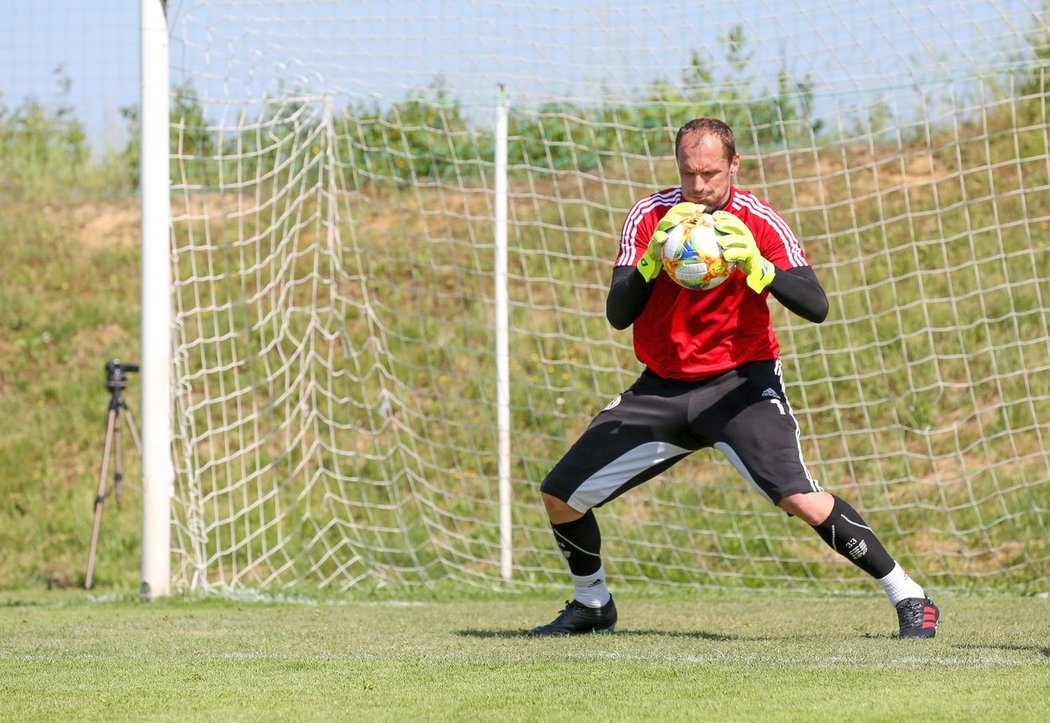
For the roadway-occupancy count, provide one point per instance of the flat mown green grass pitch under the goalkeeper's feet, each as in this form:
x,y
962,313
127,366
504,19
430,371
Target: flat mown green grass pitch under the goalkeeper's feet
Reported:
x,y
696,656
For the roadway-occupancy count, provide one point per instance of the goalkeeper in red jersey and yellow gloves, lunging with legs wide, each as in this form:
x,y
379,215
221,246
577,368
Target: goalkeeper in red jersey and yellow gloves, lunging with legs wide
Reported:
x,y
712,379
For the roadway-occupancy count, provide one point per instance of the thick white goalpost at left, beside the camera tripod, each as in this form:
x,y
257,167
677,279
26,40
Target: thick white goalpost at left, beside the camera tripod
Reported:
x,y
158,474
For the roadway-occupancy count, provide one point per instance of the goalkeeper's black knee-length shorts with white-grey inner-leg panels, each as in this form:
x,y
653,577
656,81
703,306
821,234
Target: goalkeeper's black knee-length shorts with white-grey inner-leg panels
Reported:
x,y
743,413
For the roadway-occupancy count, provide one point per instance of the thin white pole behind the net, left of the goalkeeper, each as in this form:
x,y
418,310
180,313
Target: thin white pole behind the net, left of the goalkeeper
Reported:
x,y
502,338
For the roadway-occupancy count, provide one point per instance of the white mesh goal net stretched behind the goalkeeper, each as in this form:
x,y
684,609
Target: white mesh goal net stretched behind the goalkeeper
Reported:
x,y
335,206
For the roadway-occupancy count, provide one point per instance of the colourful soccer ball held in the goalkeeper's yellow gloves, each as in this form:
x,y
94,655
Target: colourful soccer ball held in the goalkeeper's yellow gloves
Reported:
x,y
692,256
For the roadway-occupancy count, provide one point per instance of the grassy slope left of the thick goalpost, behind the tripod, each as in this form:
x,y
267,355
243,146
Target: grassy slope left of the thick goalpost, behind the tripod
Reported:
x,y
70,303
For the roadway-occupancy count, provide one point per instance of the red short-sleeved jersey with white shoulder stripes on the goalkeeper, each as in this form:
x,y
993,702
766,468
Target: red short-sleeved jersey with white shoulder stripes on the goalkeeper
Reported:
x,y
692,335
